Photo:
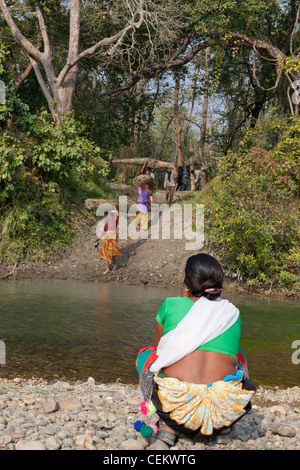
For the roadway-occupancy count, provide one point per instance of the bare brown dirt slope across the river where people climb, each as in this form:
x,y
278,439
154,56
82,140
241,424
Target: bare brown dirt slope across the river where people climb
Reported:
x,y
151,262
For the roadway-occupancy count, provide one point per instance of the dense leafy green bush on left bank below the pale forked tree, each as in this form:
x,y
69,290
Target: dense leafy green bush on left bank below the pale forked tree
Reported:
x,y
45,171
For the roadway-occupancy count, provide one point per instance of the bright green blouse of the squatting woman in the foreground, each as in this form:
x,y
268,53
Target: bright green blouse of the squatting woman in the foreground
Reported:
x,y
174,309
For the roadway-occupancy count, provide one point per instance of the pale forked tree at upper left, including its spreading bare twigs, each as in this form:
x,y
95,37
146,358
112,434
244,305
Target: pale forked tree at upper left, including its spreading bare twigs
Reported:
x,y
59,87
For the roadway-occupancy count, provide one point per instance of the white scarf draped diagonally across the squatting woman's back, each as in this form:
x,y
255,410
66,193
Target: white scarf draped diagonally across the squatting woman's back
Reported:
x,y
205,321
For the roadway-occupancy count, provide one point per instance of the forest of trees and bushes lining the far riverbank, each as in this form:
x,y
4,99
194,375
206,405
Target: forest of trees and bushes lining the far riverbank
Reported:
x,y
212,84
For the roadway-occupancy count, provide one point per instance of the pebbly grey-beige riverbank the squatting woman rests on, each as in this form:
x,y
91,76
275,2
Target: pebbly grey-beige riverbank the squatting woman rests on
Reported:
x,y
36,415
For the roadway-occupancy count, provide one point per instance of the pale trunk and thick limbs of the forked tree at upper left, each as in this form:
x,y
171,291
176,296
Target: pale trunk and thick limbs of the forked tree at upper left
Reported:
x,y
59,90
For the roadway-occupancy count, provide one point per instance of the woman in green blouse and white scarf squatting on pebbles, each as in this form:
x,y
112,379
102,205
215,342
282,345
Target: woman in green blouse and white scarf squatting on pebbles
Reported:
x,y
196,375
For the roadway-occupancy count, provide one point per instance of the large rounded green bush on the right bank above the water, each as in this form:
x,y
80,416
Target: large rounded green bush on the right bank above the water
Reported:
x,y
252,214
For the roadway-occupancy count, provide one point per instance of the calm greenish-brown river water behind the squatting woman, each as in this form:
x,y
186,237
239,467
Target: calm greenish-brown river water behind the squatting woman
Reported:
x,y
73,330
